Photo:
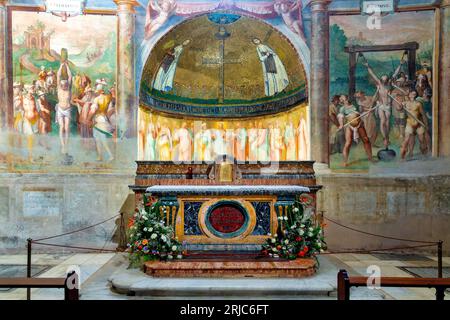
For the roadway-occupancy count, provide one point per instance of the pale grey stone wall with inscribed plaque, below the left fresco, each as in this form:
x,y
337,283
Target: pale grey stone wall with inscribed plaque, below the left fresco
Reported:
x,y
40,205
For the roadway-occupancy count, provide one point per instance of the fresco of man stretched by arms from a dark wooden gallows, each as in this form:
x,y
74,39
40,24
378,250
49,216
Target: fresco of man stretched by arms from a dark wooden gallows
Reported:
x,y
389,112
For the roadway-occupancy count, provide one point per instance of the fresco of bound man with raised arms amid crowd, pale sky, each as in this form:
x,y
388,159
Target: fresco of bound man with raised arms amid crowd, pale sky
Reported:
x,y
63,79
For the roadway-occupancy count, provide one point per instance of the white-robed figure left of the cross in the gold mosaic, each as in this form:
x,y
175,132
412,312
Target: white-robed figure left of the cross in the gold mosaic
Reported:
x,y
166,73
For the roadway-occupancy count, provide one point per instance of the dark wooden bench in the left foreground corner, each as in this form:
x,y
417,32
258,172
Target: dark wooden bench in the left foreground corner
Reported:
x,y
58,283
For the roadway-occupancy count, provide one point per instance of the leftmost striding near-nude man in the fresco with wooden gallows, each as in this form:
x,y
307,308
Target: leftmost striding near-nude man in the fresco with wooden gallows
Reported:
x,y
349,117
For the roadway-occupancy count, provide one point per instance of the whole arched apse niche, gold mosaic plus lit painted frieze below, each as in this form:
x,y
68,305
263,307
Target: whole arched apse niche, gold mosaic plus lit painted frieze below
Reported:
x,y
224,72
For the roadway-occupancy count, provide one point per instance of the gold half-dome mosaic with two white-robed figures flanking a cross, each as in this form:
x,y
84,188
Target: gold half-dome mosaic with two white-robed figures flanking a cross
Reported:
x,y
217,63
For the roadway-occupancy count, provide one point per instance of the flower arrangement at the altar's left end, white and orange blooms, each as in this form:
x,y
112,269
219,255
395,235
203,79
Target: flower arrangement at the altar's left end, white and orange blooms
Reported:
x,y
149,237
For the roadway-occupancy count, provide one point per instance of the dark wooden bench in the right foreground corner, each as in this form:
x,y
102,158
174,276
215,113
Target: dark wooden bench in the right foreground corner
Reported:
x,y
345,283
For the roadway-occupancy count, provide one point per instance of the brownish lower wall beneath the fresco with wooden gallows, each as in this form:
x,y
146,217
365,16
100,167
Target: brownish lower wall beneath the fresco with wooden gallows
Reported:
x,y
411,207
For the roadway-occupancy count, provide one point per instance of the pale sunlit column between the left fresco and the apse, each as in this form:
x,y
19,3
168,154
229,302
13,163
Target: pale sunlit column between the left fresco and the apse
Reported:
x,y
126,99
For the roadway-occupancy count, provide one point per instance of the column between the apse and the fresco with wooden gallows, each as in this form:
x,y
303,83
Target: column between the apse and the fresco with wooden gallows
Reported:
x,y
319,81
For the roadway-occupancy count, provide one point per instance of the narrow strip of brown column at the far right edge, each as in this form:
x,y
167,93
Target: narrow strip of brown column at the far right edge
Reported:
x,y
444,81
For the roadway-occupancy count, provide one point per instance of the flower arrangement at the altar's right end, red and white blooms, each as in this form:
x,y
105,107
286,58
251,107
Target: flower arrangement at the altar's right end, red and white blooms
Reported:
x,y
297,236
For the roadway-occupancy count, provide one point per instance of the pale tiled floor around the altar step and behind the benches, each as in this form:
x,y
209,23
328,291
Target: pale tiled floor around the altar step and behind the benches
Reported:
x,y
96,269
